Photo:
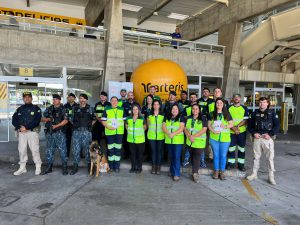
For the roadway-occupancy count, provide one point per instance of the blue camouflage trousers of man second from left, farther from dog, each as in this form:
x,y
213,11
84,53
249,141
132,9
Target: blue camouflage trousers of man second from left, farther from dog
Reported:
x,y
55,141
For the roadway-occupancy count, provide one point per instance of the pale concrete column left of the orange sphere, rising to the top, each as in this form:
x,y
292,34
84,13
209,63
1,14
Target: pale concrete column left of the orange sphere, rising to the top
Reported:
x,y
114,49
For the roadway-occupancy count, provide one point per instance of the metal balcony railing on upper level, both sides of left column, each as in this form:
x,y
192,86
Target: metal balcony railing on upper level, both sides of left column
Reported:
x,y
75,30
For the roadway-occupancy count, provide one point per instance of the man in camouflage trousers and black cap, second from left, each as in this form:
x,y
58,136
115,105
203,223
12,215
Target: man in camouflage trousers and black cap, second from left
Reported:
x,y
56,118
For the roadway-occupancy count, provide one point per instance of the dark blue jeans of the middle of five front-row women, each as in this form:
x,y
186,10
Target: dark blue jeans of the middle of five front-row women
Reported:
x,y
175,156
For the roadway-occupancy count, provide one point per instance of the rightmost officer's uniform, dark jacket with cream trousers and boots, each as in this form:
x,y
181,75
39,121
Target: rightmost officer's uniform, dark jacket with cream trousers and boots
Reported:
x,y
263,122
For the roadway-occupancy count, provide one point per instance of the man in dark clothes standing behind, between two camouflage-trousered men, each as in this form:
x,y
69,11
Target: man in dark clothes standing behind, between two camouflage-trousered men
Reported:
x,y
69,106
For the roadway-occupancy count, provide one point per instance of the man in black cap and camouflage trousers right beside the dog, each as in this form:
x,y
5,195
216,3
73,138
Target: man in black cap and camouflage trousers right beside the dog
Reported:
x,y
82,120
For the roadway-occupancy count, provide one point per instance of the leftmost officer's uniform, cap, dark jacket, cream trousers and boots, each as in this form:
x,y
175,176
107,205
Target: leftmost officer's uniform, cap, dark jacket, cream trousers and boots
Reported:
x,y
28,116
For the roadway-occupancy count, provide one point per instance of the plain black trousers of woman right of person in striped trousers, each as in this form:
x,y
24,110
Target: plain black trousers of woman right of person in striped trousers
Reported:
x,y
136,155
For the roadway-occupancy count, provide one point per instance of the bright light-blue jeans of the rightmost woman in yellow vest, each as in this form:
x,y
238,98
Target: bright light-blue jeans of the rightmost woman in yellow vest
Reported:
x,y
220,150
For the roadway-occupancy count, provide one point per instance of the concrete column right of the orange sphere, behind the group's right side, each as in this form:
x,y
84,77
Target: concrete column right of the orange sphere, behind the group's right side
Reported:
x,y
230,36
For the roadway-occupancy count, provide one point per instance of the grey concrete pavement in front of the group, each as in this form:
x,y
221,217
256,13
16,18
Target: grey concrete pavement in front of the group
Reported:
x,y
123,198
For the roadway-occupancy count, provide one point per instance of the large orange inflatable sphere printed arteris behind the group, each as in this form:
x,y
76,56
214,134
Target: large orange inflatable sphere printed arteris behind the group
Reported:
x,y
164,74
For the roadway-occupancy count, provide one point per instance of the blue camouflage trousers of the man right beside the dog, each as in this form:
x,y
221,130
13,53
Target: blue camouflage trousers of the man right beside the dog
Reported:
x,y
81,140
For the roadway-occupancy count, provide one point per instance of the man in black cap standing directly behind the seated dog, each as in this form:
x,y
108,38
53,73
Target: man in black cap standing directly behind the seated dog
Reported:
x,y
98,128
